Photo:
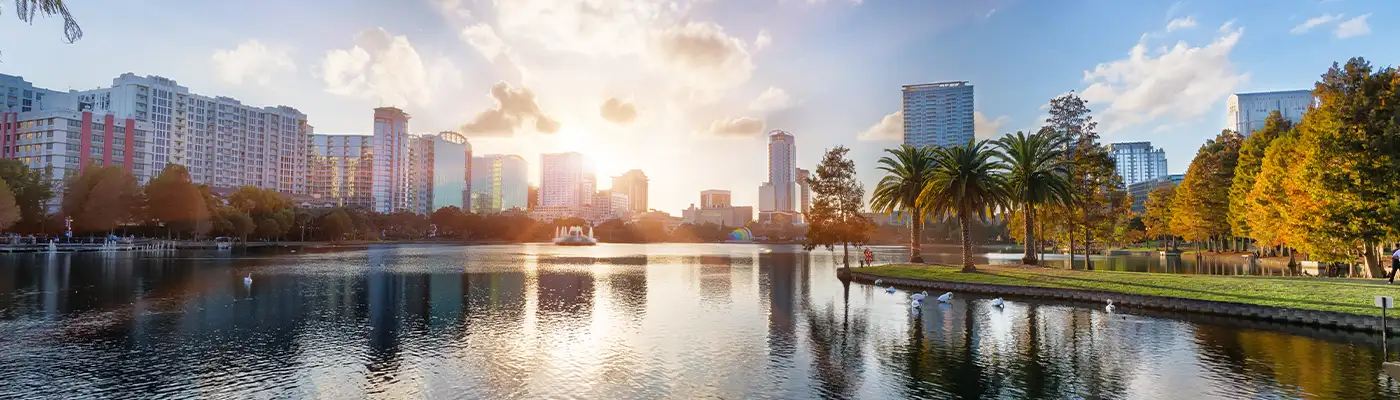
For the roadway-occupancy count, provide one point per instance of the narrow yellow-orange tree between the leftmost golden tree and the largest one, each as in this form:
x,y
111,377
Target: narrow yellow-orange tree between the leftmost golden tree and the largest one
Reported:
x,y
1251,163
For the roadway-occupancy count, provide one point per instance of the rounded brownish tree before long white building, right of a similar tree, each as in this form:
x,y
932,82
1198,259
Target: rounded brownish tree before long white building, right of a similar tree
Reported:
x,y
174,201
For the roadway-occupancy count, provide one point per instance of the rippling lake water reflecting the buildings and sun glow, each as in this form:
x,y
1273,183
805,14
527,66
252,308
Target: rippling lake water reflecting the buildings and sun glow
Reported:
x,y
610,322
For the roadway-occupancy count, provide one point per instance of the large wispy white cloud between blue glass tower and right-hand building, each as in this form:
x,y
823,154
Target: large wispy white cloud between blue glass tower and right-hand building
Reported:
x,y
1179,82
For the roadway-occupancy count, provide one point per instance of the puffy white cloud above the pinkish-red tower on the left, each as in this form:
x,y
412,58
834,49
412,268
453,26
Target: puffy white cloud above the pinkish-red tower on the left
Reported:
x,y
388,69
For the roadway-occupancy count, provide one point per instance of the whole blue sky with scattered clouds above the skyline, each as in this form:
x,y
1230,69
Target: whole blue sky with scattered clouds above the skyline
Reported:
x,y
687,90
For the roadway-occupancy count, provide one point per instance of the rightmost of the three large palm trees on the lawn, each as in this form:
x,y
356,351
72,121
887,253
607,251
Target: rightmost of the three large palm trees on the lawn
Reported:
x,y
1037,176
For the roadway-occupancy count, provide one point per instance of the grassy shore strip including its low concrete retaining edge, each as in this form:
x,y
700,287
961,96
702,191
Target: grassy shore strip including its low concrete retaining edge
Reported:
x,y
1097,287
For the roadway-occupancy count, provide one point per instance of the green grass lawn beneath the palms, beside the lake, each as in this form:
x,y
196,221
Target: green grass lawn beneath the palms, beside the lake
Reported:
x,y
1346,296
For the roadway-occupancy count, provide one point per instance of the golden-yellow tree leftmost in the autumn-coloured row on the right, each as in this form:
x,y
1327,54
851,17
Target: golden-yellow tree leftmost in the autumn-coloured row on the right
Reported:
x,y
1200,210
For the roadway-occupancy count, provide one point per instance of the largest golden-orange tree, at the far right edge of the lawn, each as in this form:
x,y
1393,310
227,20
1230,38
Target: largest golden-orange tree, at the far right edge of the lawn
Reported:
x,y
1352,162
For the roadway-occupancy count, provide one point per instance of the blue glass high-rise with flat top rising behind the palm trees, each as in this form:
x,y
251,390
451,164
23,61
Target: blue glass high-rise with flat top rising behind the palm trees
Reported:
x,y
939,114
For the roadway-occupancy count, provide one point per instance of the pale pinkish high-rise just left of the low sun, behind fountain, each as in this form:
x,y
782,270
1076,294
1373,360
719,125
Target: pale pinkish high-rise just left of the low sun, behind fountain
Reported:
x,y
566,183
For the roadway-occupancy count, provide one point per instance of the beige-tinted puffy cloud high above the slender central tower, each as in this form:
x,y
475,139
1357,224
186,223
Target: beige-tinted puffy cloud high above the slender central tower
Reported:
x,y
703,58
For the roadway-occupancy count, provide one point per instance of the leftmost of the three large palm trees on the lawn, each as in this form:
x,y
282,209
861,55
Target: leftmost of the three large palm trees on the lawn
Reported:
x,y
908,171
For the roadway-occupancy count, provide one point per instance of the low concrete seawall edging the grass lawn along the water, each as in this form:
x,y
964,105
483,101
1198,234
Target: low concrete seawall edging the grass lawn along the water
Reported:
x,y
1259,313
